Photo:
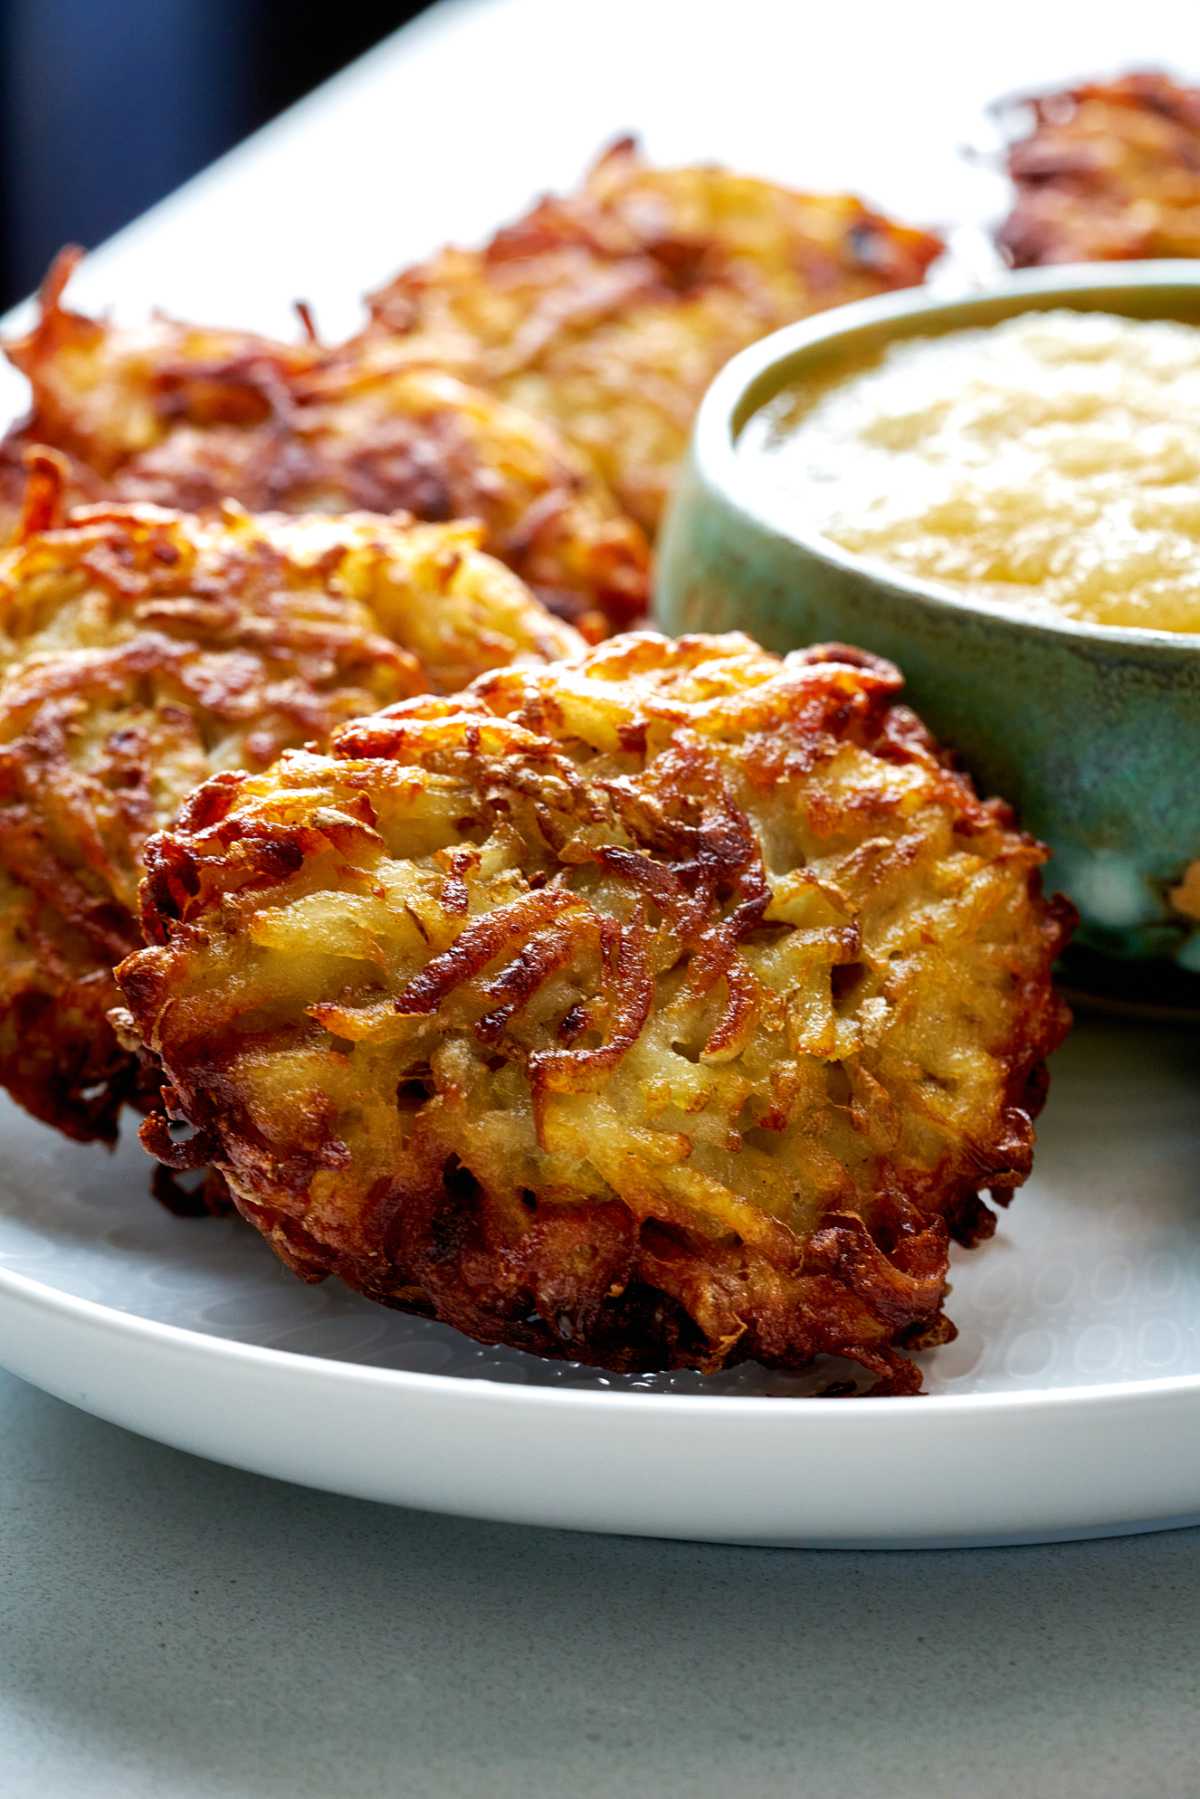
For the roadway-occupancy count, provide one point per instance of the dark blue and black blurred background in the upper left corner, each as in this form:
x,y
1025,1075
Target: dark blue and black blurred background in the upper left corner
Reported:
x,y
109,105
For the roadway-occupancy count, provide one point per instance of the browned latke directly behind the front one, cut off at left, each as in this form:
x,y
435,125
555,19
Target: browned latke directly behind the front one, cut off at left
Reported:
x,y
141,652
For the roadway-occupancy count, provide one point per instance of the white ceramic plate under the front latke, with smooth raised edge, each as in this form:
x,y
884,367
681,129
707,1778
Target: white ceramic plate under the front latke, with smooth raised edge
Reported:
x,y
1068,1408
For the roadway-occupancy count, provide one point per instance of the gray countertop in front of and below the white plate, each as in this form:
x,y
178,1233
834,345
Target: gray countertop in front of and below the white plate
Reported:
x,y
177,1629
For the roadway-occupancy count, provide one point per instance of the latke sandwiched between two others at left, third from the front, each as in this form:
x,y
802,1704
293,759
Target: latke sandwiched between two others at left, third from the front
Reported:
x,y
186,416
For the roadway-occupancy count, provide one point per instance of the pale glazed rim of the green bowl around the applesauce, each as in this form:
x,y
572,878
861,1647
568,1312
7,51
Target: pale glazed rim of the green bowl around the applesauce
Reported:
x,y
731,398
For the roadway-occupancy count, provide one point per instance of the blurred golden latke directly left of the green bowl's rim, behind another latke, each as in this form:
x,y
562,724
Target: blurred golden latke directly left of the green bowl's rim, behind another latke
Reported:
x,y
611,312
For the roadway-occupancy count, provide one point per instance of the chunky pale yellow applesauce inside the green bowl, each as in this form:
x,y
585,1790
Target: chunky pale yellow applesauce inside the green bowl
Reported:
x,y
1050,463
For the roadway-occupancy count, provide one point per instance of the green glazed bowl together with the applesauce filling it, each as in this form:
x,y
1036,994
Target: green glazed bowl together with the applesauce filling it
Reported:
x,y
999,494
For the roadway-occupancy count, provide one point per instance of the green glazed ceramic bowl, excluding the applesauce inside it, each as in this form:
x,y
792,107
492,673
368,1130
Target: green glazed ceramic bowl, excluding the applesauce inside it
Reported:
x,y
1091,731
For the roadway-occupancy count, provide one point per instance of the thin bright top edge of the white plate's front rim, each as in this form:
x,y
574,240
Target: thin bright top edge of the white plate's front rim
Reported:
x,y
136,1327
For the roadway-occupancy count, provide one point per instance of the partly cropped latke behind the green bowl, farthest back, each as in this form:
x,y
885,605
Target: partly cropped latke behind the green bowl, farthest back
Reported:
x,y
1111,172
